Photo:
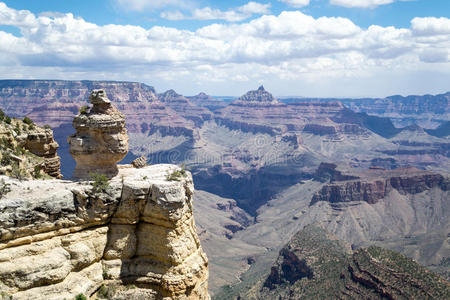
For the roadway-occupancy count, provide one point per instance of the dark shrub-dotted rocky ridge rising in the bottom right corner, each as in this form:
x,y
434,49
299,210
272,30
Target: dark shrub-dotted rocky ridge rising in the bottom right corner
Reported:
x,y
316,265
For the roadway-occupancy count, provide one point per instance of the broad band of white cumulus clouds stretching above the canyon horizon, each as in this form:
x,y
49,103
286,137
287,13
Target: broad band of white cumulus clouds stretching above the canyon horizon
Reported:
x,y
292,46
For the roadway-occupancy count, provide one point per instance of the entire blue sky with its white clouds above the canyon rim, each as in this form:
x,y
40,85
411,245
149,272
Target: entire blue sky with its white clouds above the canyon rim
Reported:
x,y
310,48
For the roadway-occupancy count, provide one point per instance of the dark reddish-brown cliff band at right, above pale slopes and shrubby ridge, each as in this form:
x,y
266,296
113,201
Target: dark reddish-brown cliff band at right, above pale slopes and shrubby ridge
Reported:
x,y
377,183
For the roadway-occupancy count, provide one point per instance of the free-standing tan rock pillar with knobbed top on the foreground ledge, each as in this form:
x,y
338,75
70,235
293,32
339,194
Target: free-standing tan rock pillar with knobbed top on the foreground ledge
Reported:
x,y
100,140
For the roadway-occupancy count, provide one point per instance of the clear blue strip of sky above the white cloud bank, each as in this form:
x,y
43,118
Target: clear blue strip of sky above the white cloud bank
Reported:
x,y
102,12
